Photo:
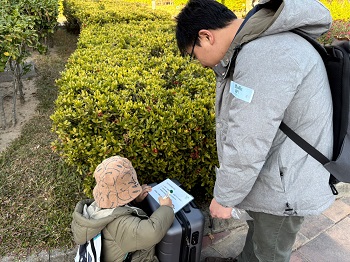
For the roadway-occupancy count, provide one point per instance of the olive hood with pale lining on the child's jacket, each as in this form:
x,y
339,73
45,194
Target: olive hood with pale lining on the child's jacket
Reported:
x,y
89,219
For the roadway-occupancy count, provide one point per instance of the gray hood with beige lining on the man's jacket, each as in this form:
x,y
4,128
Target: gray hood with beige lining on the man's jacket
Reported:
x,y
276,16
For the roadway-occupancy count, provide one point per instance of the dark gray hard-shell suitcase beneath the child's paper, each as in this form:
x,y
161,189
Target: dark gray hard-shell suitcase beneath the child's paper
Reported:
x,y
183,241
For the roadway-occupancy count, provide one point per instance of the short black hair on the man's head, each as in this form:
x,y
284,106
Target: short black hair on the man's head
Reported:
x,y
198,15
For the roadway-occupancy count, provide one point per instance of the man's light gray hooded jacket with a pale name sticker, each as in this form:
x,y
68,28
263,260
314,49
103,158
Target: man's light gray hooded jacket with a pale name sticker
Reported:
x,y
277,76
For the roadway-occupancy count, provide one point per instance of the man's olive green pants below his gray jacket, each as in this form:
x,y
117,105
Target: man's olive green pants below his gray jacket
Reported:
x,y
270,238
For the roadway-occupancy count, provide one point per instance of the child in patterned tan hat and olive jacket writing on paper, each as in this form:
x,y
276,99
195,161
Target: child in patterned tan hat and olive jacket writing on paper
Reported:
x,y
126,229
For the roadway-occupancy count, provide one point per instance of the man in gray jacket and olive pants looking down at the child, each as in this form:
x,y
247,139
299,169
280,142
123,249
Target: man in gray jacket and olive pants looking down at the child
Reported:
x,y
277,75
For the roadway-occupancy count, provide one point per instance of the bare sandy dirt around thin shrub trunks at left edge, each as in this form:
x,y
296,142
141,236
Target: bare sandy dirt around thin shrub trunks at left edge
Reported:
x,y
24,111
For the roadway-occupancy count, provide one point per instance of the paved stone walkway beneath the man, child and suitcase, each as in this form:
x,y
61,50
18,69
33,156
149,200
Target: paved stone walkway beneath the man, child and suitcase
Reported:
x,y
324,238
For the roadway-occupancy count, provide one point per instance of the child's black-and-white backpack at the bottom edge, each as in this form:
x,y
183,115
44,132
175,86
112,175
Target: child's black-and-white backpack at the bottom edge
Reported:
x,y
91,251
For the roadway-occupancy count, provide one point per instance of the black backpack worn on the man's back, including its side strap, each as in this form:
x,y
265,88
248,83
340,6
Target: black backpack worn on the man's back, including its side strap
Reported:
x,y
336,58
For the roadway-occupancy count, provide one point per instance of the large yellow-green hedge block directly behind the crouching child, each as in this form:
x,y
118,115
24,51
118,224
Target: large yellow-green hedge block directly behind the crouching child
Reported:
x,y
127,91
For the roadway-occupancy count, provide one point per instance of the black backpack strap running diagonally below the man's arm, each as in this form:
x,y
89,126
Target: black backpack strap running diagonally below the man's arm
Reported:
x,y
303,144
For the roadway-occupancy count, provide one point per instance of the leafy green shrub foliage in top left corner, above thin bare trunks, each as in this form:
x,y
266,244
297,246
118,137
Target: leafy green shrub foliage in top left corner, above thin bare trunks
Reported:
x,y
23,26
